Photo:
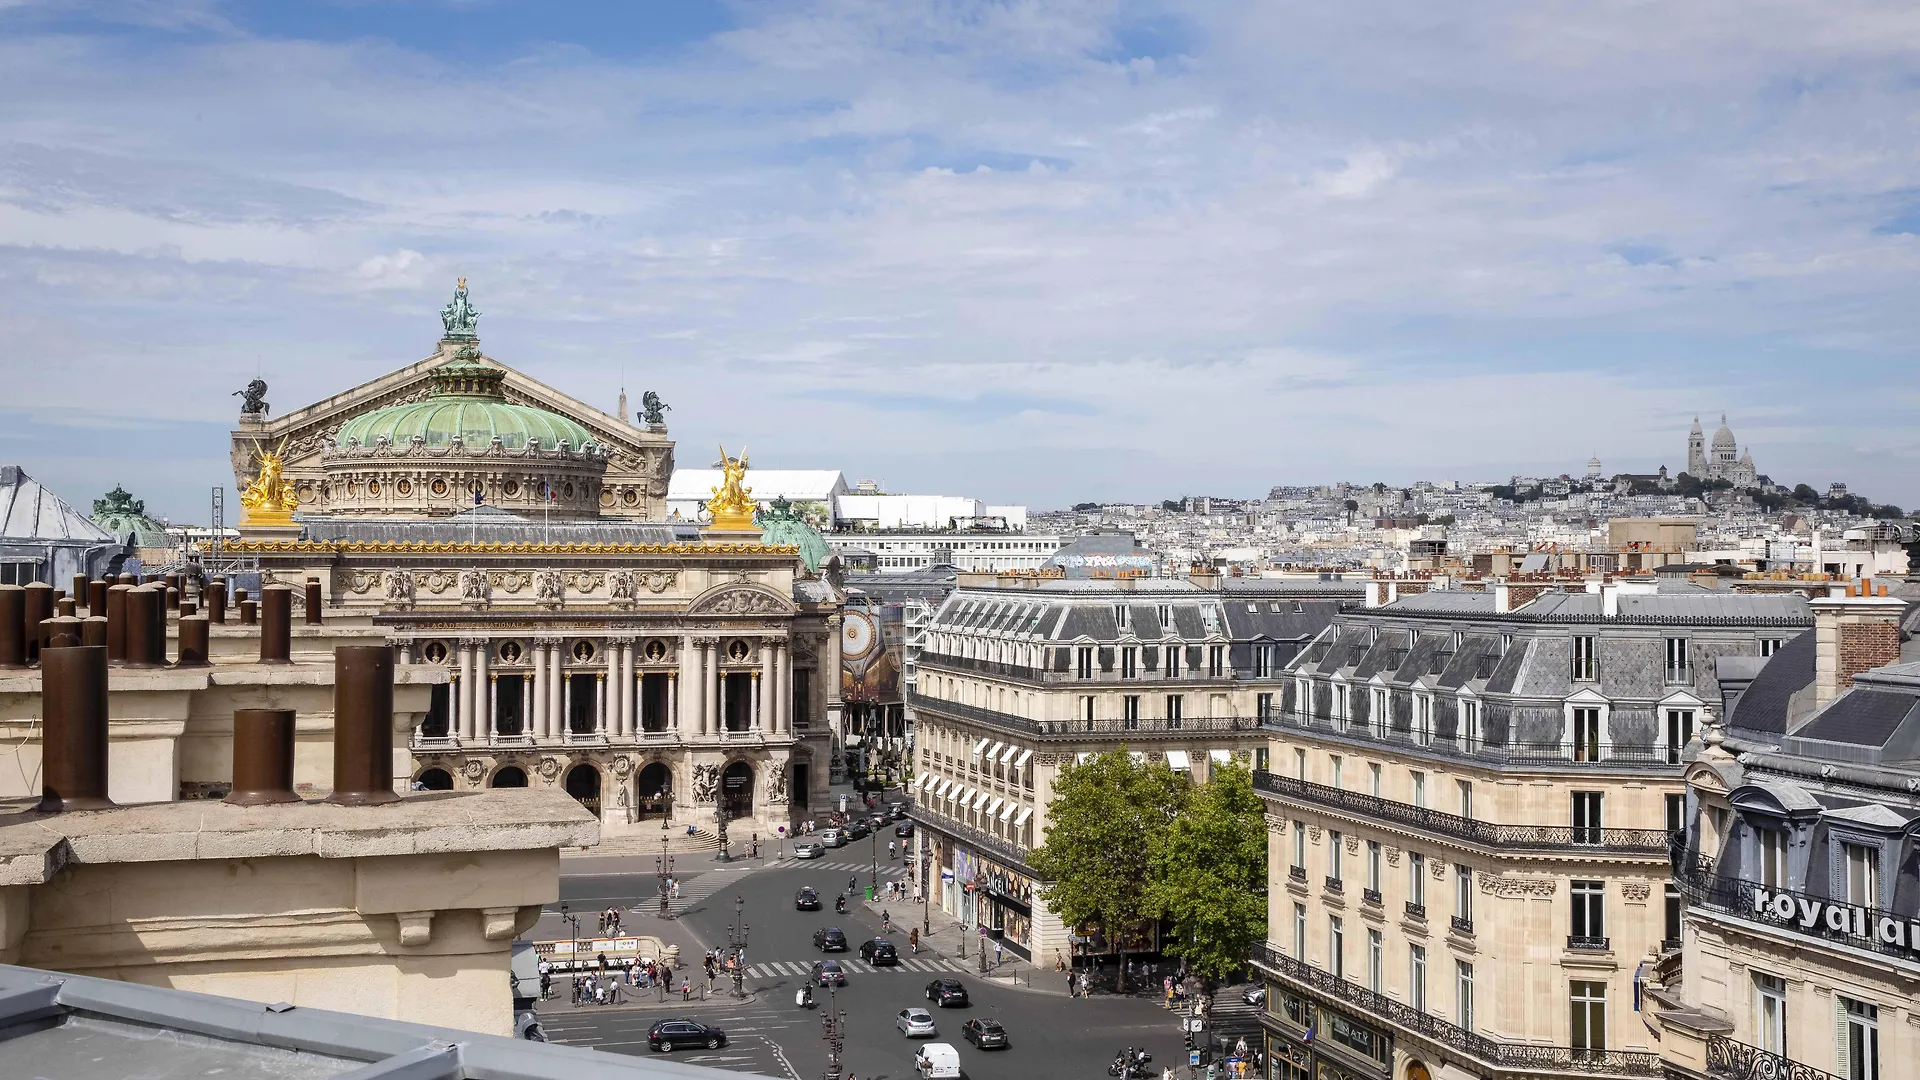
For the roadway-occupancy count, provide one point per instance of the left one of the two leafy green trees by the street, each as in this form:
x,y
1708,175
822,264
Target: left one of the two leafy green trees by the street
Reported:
x,y
1103,827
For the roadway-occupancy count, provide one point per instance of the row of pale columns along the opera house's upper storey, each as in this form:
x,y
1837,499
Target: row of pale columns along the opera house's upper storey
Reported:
x,y
696,689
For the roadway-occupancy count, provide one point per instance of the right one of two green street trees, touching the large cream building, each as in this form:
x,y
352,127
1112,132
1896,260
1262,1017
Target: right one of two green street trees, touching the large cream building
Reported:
x,y
1211,875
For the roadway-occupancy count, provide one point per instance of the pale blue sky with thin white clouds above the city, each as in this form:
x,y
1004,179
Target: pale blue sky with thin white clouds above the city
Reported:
x,y
1026,251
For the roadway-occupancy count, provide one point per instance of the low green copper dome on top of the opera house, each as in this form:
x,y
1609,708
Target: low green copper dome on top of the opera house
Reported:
x,y
469,405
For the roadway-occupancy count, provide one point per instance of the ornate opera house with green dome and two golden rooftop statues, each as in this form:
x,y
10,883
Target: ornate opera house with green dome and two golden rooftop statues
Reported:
x,y
502,531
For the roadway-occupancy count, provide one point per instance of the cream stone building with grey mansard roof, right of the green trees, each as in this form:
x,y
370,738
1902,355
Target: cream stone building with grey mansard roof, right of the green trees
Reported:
x,y
1472,802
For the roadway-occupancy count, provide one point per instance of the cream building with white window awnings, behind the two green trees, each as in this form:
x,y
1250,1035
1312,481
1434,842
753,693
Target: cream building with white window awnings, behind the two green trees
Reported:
x,y
1022,677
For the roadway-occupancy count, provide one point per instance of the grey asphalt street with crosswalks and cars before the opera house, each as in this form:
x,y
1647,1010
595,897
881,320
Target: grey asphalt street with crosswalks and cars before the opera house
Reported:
x,y
1053,1035
